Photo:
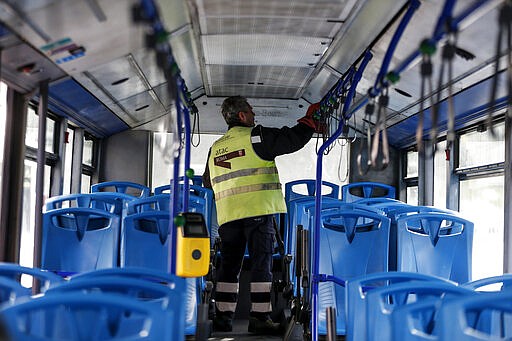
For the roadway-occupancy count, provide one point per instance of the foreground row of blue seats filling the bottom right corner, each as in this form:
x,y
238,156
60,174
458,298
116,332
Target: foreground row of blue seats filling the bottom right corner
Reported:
x,y
411,306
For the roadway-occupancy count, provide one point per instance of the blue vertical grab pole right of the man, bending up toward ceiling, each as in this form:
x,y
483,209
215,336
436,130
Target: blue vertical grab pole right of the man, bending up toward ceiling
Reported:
x,y
318,193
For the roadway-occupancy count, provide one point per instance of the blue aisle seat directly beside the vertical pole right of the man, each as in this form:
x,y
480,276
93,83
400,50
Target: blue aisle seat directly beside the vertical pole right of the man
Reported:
x,y
352,243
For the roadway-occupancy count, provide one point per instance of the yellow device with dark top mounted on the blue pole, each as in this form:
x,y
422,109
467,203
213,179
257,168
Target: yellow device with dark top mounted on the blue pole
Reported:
x,y
192,245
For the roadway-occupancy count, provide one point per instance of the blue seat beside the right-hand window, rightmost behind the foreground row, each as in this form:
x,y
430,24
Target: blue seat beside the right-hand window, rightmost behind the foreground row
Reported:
x,y
444,240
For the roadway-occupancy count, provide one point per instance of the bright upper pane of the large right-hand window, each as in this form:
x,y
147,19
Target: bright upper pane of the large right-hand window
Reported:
x,y
481,148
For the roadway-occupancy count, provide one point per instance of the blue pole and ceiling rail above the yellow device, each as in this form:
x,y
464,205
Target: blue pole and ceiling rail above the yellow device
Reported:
x,y
147,12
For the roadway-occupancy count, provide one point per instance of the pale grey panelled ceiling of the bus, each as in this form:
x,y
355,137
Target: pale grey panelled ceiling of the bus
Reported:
x,y
282,55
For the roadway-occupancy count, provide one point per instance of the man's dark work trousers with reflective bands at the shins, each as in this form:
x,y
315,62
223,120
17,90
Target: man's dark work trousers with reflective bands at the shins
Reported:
x,y
258,234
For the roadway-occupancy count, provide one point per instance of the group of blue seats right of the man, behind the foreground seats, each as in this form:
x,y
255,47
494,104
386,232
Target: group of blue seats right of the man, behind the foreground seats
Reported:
x,y
370,235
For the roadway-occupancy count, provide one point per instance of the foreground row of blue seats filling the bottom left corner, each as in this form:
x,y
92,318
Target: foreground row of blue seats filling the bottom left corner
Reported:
x,y
109,304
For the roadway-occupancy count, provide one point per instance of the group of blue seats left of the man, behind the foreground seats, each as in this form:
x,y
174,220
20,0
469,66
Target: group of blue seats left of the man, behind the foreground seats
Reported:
x,y
103,230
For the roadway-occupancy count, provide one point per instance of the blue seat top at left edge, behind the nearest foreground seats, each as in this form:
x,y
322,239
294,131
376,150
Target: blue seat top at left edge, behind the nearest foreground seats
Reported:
x,y
42,278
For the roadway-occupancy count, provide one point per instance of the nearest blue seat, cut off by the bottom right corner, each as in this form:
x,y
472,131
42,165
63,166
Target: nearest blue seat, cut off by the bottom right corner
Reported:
x,y
484,316
